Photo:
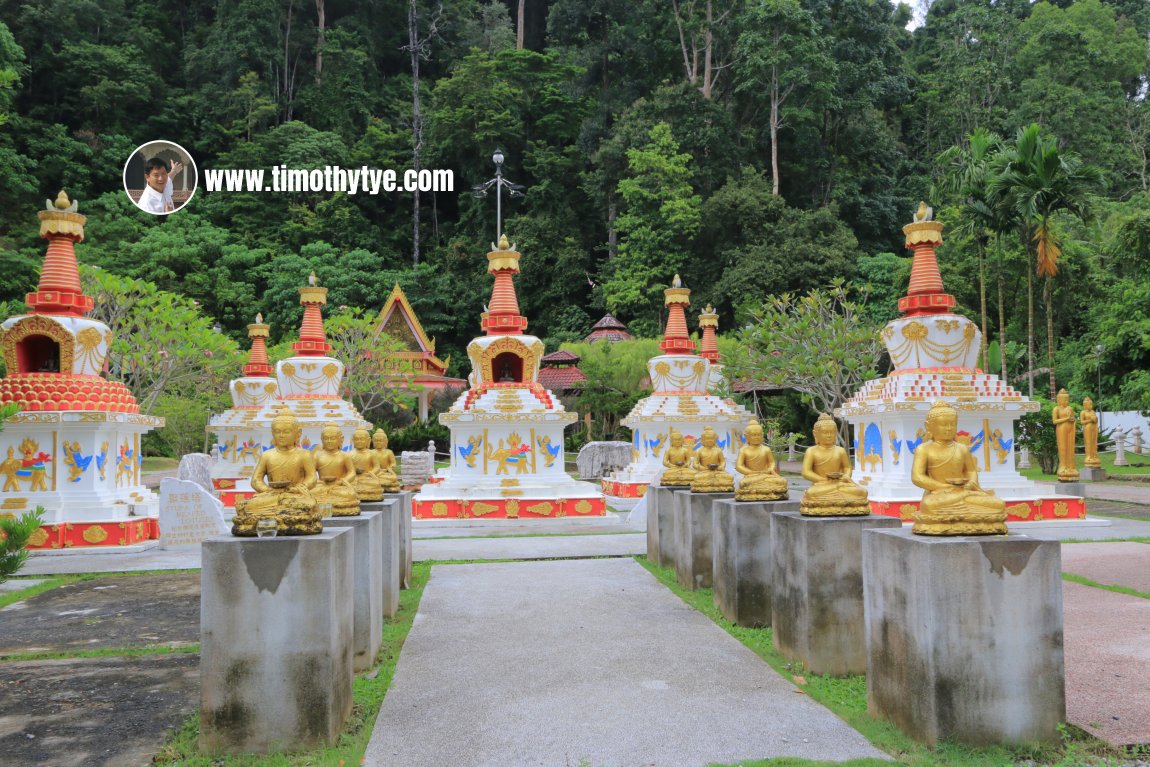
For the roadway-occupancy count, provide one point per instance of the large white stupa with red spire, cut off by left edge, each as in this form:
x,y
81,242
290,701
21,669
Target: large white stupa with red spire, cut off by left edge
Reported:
x,y
75,447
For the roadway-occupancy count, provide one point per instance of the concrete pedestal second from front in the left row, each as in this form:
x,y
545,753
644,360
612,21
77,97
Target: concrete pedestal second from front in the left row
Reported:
x,y
367,553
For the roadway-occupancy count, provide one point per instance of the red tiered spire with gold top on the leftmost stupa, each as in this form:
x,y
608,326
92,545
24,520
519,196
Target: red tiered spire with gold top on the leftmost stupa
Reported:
x,y
59,292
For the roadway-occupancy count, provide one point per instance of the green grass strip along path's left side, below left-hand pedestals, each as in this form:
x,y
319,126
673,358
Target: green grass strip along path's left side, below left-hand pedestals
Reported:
x,y
371,688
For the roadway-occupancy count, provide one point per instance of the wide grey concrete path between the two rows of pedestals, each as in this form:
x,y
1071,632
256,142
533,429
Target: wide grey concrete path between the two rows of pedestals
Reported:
x,y
592,663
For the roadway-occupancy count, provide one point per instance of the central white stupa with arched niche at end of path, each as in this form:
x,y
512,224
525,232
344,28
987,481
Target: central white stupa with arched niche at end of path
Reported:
x,y
507,429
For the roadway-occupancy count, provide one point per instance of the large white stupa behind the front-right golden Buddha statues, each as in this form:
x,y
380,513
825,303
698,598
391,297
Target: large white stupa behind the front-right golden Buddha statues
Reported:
x,y
936,355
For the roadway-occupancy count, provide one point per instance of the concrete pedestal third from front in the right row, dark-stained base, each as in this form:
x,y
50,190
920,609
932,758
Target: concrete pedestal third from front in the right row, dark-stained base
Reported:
x,y
743,559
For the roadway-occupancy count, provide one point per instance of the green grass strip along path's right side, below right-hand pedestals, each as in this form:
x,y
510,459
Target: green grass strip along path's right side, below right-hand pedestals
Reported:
x,y
847,699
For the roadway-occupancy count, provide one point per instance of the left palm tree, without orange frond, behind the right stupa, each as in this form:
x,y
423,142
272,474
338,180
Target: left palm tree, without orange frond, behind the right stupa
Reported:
x,y
968,177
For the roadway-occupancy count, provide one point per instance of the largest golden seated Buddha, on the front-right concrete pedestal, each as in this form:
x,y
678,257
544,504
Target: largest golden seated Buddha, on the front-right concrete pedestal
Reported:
x,y
954,503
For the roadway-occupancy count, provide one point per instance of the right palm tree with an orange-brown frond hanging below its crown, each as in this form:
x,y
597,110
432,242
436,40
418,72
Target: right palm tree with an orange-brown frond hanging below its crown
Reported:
x,y
1034,181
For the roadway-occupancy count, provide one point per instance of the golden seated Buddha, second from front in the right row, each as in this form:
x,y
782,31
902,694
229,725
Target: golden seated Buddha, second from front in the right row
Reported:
x,y
829,467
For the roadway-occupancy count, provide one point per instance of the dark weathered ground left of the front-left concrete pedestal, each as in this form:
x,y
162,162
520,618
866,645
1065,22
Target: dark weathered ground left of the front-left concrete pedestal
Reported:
x,y
106,711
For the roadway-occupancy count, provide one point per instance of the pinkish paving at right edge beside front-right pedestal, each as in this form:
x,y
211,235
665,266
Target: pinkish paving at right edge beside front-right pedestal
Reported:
x,y
1108,663
